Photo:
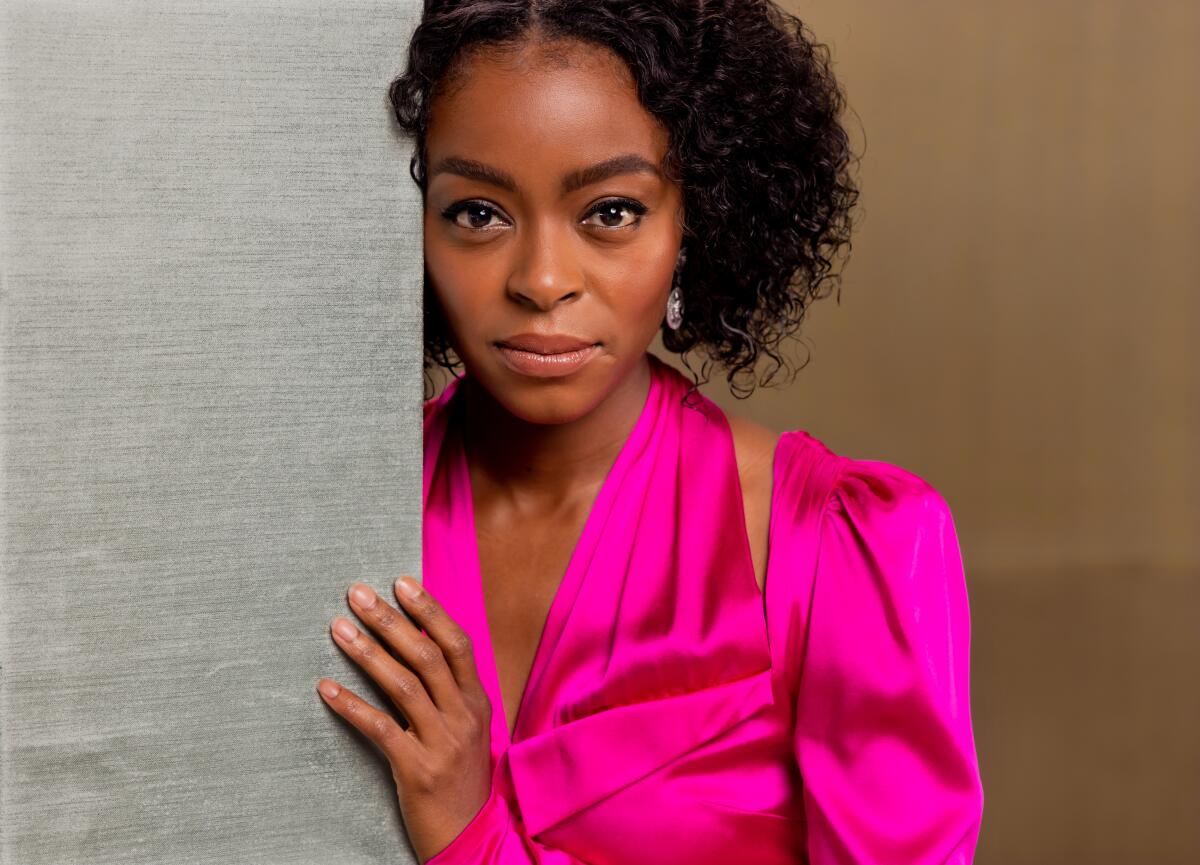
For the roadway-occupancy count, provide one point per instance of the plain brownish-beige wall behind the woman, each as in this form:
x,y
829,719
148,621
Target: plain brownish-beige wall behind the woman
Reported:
x,y
1018,326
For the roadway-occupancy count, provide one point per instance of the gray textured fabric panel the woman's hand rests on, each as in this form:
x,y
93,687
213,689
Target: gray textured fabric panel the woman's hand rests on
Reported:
x,y
211,385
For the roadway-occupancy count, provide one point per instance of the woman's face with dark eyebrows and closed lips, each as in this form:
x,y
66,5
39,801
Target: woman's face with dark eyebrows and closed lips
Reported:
x,y
547,217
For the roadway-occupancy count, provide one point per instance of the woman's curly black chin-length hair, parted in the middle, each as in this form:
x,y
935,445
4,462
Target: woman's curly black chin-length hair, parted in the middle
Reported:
x,y
757,143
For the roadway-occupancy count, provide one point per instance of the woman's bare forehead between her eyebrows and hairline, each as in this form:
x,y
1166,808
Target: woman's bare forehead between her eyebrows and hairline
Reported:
x,y
539,112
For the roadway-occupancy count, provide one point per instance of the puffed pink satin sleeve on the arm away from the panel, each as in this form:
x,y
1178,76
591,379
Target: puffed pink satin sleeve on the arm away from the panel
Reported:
x,y
884,735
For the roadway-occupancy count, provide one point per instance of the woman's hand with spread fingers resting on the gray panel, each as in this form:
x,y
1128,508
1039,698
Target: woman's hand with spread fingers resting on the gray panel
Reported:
x,y
442,762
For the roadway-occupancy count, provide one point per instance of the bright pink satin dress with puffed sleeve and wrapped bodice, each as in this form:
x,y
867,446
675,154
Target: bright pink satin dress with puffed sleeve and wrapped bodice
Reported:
x,y
677,716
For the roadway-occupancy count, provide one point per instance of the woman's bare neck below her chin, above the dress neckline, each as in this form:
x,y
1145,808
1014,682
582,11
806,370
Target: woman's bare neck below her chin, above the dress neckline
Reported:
x,y
550,462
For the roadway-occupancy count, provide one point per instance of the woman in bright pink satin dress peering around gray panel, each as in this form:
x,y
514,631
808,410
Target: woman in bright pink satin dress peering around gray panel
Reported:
x,y
650,633
